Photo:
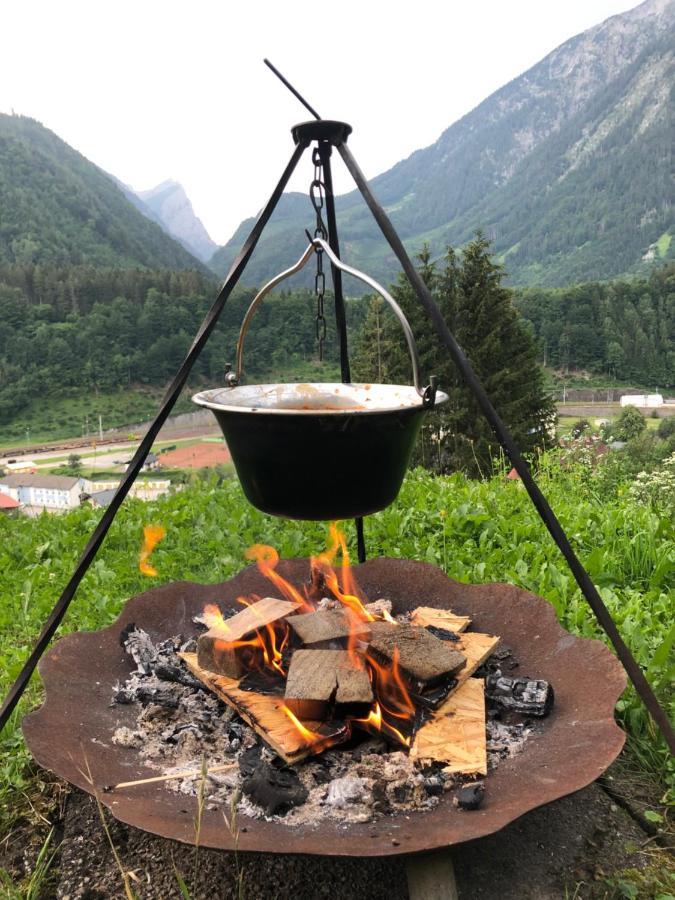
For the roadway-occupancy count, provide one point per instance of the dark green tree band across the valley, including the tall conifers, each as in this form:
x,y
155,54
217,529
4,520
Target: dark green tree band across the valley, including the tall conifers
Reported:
x,y
104,329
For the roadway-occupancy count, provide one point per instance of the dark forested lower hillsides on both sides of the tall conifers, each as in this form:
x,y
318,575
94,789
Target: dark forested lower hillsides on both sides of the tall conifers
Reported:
x,y
79,328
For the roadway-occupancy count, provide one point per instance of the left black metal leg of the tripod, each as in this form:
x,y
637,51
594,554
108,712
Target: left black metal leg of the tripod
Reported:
x,y
136,464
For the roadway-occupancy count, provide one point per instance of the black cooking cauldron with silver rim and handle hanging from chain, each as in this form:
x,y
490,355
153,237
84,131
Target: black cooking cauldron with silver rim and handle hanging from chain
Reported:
x,y
321,451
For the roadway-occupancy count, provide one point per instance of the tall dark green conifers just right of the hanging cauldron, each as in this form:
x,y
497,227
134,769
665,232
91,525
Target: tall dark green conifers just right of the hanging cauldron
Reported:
x,y
480,313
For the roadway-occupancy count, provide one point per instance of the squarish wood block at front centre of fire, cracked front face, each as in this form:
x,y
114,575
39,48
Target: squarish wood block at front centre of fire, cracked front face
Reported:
x,y
317,679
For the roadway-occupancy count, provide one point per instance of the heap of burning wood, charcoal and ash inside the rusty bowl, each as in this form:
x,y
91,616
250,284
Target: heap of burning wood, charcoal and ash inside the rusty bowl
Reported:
x,y
302,711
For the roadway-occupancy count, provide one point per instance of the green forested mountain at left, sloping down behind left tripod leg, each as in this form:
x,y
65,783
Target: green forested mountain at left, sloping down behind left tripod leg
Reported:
x,y
57,207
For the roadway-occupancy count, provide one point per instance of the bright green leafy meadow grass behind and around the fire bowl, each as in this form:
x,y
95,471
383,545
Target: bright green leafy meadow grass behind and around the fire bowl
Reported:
x,y
476,531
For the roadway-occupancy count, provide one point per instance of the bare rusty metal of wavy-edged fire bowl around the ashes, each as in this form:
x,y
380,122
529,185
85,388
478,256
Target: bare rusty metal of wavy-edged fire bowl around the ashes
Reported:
x,y
579,740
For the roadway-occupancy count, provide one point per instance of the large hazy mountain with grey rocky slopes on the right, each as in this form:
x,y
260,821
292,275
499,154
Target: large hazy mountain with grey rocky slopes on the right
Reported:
x,y
566,169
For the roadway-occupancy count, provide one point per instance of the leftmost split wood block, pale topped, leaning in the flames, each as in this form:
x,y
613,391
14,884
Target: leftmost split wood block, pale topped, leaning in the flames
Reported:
x,y
228,648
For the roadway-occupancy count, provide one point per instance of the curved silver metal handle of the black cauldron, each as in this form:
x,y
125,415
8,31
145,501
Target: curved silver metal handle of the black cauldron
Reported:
x,y
316,245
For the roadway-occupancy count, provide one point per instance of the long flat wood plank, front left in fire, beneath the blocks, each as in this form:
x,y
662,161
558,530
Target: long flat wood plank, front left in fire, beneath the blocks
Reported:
x,y
265,714
